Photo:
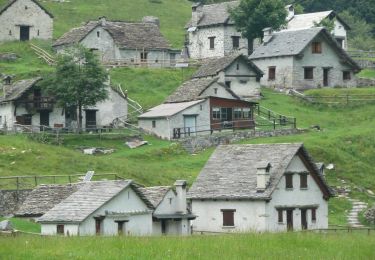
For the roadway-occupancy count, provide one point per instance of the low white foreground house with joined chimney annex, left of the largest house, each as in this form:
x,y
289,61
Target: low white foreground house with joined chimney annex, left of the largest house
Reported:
x,y
122,207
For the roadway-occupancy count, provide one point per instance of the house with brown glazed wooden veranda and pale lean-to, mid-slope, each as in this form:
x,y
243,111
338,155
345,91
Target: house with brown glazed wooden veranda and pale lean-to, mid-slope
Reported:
x,y
198,106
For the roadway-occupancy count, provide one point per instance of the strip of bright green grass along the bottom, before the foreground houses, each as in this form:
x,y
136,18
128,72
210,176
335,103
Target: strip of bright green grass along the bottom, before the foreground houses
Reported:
x,y
240,246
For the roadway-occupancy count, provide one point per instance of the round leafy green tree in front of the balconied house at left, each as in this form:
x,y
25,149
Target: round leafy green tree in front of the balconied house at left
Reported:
x,y
78,81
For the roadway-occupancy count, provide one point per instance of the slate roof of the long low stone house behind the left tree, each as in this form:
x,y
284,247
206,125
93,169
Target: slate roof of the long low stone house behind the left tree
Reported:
x,y
129,35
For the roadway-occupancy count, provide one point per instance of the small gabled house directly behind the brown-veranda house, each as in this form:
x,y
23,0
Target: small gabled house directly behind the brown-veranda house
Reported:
x,y
236,71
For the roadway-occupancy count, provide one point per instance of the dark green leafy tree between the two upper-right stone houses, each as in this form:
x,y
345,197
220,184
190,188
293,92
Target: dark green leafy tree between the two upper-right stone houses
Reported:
x,y
252,16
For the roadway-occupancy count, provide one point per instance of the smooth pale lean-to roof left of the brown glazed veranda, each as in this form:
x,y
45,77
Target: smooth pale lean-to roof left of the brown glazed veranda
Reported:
x,y
168,109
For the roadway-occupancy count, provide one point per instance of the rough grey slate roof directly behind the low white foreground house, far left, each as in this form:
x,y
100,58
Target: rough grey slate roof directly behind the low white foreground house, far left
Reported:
x,y
45,197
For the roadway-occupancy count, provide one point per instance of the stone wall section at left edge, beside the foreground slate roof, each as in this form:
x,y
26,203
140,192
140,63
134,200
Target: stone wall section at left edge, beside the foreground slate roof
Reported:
x,y
11,200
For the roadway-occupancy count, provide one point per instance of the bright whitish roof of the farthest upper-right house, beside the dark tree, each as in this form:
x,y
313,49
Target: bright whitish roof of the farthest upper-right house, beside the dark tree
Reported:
x,y
309,20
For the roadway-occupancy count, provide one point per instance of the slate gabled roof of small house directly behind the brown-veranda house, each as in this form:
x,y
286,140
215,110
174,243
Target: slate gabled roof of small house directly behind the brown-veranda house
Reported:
x,y
211,67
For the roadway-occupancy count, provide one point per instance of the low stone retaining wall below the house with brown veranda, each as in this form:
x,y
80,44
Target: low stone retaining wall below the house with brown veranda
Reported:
x,y
199,143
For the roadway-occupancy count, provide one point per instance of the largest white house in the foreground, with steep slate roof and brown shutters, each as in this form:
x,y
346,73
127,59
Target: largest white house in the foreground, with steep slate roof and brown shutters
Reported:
x,y
259,188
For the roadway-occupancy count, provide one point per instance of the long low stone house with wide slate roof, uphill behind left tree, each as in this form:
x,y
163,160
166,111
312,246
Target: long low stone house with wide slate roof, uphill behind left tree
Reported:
x,y
131,43
